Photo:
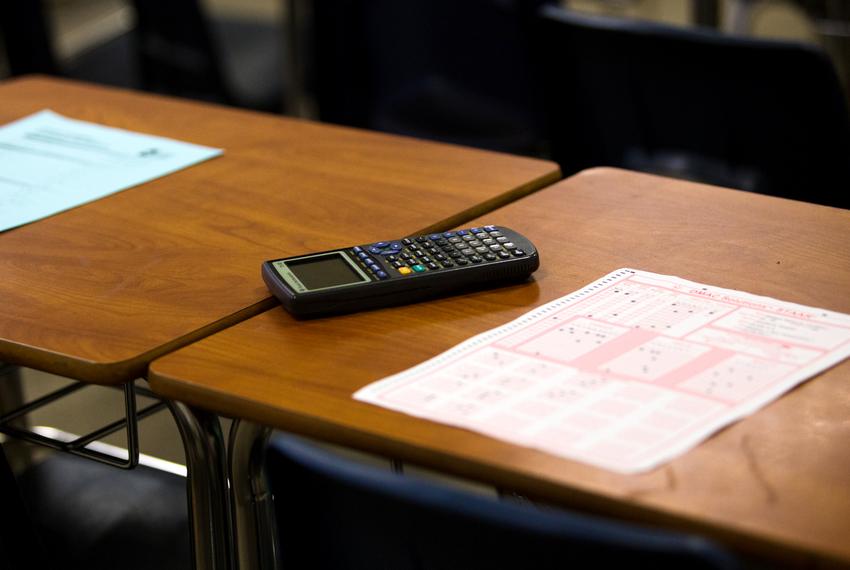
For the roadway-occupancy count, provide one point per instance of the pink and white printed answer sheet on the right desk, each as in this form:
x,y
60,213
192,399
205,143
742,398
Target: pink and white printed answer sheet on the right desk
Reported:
x,y
624,374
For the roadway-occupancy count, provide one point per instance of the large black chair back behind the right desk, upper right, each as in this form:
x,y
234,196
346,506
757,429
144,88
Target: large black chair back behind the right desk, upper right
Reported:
x,y
758,115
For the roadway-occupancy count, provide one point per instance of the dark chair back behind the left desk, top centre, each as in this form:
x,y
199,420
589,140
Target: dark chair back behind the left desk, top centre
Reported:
x,y
435,69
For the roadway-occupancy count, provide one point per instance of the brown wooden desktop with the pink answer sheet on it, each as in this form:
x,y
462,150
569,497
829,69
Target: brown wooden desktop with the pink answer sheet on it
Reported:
x,y
776,484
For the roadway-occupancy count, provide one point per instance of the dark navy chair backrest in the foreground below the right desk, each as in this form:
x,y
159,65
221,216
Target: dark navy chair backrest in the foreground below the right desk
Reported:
x,y
334,513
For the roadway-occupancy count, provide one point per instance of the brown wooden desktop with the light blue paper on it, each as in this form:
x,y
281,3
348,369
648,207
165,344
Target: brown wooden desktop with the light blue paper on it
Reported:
x,y
96,292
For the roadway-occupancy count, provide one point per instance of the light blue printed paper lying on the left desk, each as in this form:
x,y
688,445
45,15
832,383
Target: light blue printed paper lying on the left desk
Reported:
x,y
49,163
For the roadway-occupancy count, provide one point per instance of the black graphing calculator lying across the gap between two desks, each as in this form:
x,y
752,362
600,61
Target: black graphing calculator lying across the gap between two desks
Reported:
x,y
400,271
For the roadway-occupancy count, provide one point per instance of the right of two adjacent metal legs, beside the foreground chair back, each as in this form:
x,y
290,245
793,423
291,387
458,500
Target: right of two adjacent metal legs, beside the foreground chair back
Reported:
x,y
256,543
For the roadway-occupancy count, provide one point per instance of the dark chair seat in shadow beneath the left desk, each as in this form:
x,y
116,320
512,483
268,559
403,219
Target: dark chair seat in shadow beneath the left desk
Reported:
x,y
90,516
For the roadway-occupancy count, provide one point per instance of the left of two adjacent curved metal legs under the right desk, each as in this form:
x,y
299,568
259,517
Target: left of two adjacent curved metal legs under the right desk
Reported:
x,y
209,500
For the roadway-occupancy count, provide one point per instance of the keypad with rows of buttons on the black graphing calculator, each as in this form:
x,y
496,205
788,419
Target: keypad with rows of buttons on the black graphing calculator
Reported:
x,y
434,252
